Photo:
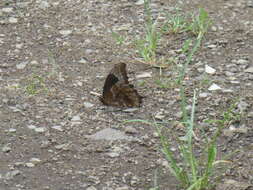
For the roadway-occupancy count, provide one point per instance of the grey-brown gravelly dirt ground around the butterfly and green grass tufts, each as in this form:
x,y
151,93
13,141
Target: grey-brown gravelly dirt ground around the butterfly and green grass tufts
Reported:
x,y
55,54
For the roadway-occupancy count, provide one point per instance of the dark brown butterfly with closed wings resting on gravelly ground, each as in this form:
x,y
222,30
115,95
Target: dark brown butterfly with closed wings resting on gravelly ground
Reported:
x,y
117,91
